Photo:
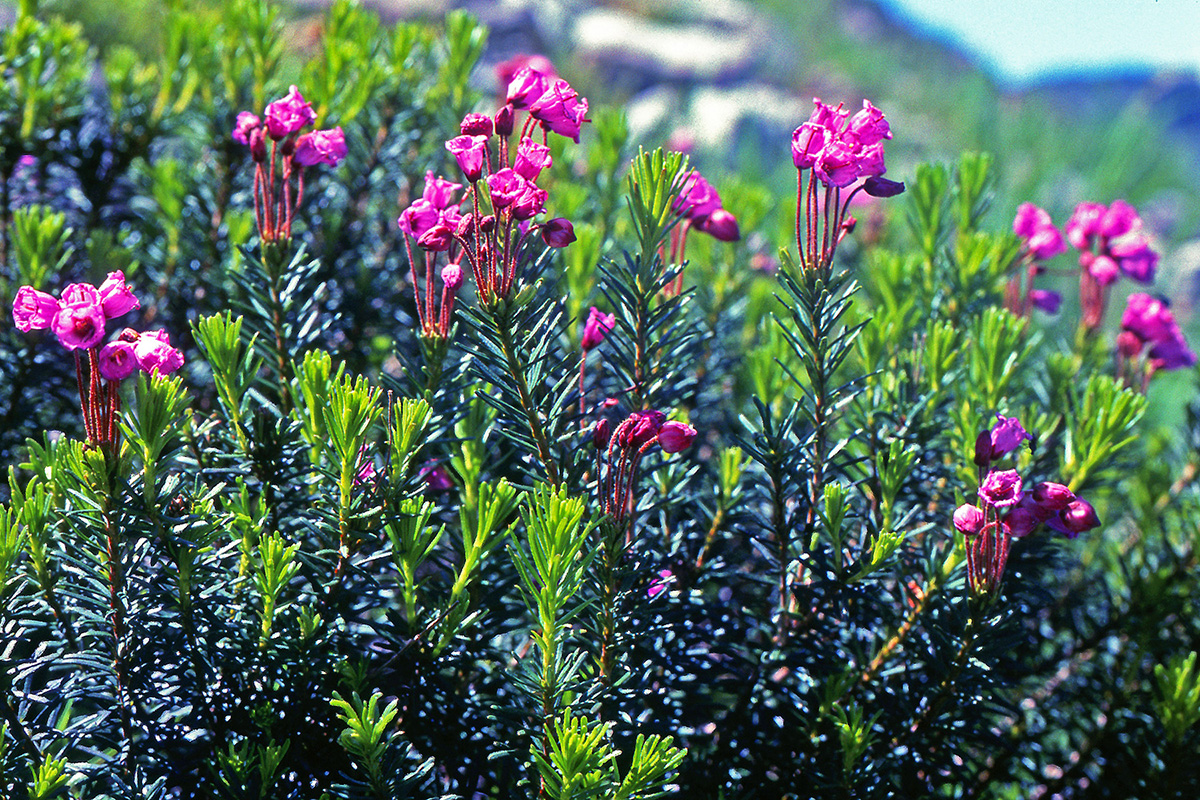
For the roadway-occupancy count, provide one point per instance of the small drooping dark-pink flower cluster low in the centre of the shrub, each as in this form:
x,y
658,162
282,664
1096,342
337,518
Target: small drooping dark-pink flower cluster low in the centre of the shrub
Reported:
x,y
622,449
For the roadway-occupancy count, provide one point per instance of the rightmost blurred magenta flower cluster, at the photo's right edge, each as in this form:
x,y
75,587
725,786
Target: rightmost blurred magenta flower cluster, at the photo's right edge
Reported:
x,y
1150,340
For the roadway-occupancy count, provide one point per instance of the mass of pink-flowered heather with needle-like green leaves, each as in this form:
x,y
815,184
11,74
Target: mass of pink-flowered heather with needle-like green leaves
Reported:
x,y
460,465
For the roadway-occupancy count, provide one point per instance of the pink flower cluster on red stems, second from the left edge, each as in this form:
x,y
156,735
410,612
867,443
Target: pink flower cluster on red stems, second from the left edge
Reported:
x,y
284,125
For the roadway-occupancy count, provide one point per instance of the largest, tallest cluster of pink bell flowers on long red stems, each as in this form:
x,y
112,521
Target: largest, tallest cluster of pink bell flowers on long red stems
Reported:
x,y
505,194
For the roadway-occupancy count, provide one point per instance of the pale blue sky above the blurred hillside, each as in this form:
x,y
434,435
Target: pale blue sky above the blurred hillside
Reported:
x,y
1022,40
